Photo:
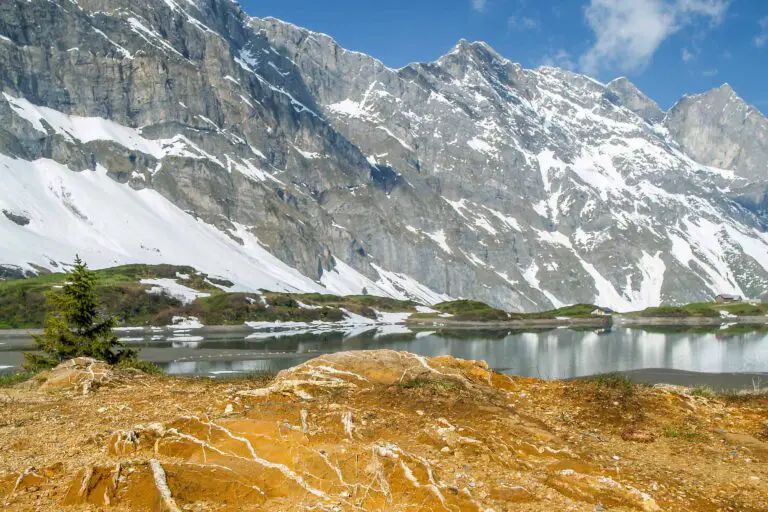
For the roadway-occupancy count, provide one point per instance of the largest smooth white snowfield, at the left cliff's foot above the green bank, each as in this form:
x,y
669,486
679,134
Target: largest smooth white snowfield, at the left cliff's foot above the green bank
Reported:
x,y
111,224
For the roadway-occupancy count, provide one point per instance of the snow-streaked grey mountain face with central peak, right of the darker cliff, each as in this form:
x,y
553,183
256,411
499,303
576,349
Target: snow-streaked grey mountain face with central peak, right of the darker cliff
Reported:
x,y
560,189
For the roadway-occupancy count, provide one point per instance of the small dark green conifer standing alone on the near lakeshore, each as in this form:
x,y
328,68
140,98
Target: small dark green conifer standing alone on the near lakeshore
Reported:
x,y
74,327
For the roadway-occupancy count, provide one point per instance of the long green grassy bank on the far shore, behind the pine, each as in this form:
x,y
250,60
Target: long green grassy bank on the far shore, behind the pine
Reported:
x,y
118,289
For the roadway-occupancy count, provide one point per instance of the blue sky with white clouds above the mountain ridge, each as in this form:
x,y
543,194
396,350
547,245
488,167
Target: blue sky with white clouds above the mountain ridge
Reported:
x,y
666,47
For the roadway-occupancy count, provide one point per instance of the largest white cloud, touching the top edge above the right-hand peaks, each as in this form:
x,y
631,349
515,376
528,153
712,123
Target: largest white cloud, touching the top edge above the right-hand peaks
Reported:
x,y
628,32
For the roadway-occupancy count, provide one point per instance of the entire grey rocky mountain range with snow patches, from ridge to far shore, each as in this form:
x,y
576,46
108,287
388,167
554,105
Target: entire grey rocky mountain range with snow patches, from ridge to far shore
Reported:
x,y
188,132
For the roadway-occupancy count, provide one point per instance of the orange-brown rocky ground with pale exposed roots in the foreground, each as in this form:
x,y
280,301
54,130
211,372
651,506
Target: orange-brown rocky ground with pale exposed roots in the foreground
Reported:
x,y
377,430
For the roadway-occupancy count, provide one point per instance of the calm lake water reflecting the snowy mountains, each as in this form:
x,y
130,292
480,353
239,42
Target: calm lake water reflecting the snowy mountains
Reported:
x,y
554,354
